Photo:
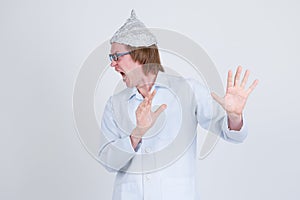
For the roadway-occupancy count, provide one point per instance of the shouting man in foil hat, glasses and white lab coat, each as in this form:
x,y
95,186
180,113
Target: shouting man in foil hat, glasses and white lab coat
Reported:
x,y
153,151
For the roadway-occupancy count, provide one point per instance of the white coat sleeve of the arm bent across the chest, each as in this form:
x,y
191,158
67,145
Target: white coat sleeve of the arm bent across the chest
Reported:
x,y
115,151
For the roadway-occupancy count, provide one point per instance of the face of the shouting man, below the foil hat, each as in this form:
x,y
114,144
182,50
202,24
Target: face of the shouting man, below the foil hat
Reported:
x,y
128,69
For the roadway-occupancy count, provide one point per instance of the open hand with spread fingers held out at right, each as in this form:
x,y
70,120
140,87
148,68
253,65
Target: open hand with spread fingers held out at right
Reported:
x,y
236,95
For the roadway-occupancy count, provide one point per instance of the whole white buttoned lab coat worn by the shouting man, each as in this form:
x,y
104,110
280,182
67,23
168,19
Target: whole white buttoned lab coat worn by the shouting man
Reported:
x,y
162,167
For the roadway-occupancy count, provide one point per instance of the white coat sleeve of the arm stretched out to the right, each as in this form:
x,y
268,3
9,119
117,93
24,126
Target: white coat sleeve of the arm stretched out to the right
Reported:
x,y
211,116
